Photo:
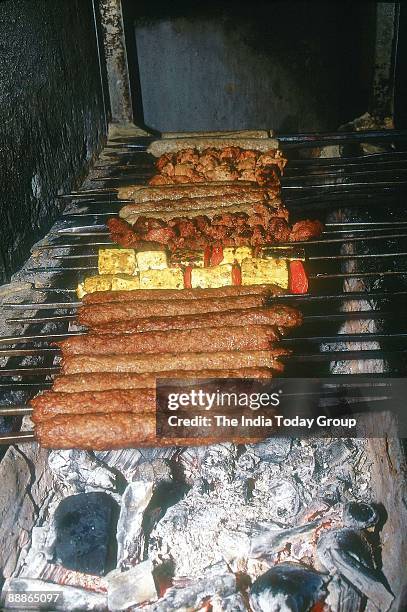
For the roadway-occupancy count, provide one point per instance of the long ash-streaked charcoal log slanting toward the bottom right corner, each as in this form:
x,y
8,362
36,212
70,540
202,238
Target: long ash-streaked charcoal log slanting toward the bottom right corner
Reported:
x,y
347,552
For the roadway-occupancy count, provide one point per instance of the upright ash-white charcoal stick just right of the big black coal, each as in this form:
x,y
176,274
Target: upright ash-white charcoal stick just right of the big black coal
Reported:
x,y
130,534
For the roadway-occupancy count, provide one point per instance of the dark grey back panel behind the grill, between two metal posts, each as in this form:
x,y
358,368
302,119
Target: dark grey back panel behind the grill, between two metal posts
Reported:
x,y
291,66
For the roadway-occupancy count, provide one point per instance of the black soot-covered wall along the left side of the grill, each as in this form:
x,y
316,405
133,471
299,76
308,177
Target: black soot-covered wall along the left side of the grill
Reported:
x,y
51,115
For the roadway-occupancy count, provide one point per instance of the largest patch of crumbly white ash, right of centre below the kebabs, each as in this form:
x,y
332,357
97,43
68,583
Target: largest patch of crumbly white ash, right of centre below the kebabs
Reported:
x,y
231,493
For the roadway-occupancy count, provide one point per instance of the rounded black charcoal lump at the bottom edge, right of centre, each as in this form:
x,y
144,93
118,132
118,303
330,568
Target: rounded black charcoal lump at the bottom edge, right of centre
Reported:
x,y
287,587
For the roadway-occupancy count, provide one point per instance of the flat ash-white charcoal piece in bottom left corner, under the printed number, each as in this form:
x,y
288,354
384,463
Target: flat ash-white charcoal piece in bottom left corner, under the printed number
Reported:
x,y
65,597
